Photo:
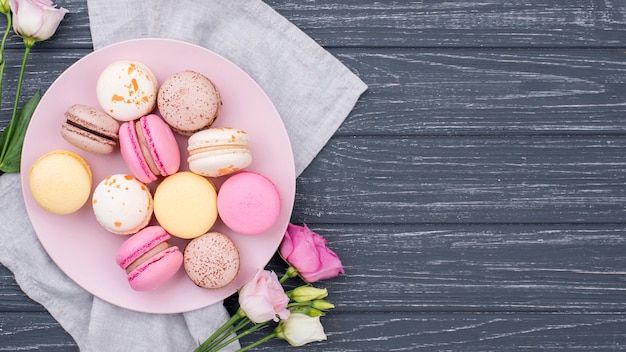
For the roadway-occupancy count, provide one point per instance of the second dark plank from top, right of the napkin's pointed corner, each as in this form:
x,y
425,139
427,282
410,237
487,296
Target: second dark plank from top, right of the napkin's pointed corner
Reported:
x,y
478,92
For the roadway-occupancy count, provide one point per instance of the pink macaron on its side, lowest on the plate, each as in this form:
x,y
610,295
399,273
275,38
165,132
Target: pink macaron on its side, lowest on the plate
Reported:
x,y
149,259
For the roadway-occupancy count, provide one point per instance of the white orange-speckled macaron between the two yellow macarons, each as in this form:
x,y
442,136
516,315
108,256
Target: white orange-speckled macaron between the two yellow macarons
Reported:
x,y
122,204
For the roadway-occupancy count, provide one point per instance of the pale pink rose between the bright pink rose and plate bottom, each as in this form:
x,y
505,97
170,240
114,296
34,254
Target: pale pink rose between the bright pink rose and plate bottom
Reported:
x,y
263,298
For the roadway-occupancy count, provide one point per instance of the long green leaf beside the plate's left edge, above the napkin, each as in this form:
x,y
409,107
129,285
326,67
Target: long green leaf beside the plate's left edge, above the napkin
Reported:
x,y
12,159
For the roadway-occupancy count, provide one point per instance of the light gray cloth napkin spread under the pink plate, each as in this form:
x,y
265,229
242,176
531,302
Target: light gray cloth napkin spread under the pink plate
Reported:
x,y
312,91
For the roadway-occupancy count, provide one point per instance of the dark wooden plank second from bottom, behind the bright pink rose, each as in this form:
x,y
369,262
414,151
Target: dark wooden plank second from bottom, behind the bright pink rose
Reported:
x,y
461,268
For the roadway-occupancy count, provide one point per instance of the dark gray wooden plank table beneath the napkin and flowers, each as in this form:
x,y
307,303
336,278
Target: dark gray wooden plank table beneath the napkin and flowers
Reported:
x,y
475,194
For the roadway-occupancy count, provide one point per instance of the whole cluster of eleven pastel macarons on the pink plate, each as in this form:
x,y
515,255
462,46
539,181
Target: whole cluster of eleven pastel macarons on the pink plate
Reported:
x,y
143,119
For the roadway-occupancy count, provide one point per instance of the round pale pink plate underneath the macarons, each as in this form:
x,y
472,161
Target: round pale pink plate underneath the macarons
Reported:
x,y
77,243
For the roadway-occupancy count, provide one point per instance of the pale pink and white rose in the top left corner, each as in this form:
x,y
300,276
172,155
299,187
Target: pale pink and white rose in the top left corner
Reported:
x,y
36,20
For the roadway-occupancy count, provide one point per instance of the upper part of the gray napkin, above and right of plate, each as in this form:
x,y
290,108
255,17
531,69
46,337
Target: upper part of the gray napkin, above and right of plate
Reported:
x,y
311,89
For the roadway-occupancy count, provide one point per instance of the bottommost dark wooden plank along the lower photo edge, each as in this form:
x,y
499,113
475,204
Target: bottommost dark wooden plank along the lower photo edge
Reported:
x,y
393,332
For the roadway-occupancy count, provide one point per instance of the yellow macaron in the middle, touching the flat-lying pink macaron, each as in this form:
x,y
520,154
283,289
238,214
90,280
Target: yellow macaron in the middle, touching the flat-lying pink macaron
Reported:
x,y
185,204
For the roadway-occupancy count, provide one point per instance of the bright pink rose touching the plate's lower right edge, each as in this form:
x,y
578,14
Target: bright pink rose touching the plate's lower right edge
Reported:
x,y
307,252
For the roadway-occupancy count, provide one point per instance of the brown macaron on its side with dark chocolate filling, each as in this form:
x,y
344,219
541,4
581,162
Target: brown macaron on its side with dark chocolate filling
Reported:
x,y
90,129
